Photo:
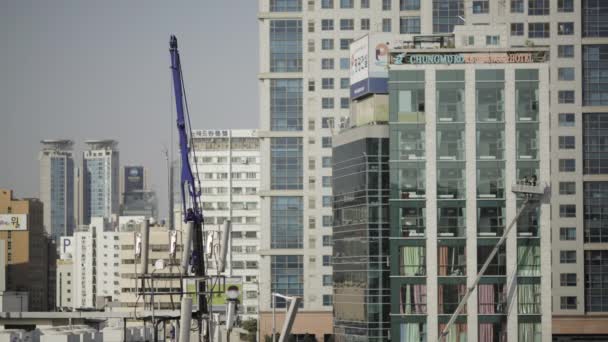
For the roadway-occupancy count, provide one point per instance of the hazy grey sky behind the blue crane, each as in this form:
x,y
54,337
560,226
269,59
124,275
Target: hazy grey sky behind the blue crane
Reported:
x,y
100,69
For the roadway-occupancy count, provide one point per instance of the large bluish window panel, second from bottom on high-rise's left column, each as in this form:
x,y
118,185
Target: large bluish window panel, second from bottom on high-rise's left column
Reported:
x,y
286,222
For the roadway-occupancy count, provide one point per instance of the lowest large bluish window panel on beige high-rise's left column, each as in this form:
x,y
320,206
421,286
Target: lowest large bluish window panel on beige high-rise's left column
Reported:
x,y
287,277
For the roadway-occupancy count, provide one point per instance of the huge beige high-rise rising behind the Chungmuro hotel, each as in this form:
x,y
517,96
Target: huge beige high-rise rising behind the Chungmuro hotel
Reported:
x,y
303,51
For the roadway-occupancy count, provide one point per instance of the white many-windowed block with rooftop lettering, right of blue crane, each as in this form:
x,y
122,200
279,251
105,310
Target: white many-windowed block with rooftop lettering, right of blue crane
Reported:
x,y
228,166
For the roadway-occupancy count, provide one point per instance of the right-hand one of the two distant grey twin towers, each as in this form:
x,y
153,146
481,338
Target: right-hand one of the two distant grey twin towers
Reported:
x,y
100,180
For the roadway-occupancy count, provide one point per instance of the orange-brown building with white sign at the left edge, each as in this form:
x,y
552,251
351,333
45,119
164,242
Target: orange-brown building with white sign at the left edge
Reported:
x,y
26,246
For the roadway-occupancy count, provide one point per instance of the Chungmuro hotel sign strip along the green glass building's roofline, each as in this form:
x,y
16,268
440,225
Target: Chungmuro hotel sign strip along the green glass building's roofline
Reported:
x,y
467,58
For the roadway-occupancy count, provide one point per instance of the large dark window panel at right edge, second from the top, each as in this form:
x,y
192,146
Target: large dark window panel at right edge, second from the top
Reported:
x,y
595,75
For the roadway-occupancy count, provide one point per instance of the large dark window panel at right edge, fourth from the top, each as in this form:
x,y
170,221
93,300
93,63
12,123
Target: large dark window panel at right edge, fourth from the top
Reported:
x,y
595,204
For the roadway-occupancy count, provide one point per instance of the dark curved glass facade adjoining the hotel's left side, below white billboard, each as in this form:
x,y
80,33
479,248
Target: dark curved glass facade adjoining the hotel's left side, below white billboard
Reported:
x,y
360,240
